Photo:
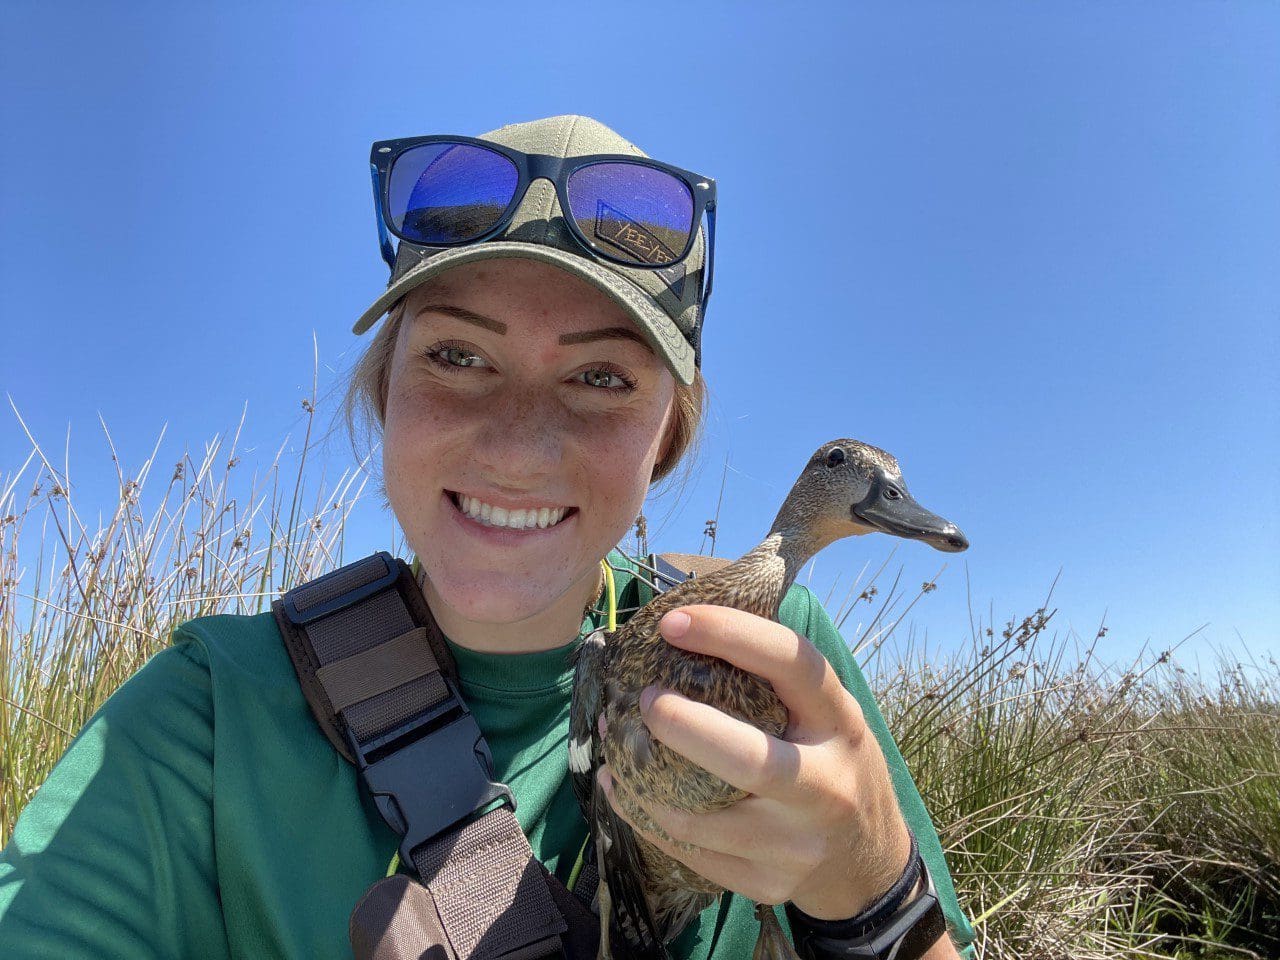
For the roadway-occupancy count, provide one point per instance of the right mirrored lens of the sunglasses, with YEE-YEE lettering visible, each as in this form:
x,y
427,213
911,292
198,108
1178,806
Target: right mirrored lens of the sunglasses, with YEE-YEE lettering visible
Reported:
x,y
633,212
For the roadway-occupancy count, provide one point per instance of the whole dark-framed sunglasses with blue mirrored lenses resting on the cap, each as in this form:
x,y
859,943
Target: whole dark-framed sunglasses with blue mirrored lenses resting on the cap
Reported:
x,y
446,191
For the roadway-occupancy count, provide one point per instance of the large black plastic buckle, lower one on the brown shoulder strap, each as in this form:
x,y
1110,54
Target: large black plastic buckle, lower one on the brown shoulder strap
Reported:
x,y
431,774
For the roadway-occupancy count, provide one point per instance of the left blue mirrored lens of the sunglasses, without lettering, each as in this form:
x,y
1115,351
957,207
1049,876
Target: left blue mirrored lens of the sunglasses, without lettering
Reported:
x,y
450,193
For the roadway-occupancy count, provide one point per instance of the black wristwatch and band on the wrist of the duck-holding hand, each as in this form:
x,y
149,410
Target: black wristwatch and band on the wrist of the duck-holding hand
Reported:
x,y
900,926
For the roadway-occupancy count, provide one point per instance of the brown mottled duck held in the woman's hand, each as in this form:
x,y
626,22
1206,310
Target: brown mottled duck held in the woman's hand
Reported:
x,y
646,898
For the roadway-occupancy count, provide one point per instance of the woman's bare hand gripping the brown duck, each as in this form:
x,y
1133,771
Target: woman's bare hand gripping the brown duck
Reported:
x,y
822,826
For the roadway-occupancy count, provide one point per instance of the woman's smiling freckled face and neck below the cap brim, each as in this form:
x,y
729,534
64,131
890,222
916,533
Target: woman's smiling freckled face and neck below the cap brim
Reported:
x,y
523,387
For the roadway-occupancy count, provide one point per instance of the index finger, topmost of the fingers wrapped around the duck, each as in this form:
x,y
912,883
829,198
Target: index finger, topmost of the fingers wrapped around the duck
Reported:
x,y
802,678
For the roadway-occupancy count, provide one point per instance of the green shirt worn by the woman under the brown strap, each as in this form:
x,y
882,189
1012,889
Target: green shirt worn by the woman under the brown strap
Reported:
x,y
202,813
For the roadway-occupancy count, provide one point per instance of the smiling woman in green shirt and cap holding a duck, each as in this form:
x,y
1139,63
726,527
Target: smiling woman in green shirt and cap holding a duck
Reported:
x,y
536,376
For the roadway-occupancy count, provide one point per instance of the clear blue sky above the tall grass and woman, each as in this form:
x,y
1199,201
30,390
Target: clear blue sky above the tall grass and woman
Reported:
x,y
1030,249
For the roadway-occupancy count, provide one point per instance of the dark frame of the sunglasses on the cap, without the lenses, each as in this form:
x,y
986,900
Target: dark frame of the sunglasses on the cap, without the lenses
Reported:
x,y
532,167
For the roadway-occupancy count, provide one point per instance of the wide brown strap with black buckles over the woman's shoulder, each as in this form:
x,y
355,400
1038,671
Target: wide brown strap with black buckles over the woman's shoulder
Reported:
x,y
381,683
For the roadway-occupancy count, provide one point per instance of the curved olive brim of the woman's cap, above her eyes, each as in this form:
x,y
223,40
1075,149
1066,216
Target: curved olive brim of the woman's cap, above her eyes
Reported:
x,y
662,333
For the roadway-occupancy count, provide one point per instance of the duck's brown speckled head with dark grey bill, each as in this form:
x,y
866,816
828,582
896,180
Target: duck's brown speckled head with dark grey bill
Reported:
x,y
851,488
